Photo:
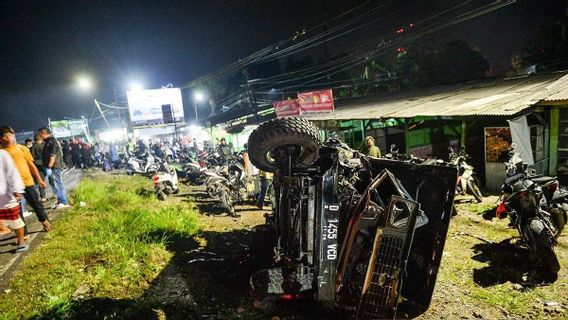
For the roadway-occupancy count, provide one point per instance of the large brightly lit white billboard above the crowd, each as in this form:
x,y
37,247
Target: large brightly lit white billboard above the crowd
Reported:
x,y
155,107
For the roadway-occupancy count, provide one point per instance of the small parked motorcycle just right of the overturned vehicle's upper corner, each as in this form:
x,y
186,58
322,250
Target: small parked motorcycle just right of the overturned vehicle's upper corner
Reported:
x,y
467,182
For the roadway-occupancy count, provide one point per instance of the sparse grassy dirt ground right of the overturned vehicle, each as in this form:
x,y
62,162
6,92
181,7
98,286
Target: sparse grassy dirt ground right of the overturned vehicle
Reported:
x,y
484,269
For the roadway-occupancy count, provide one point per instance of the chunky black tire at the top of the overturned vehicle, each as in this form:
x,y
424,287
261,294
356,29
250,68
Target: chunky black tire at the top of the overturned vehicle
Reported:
x,y
282,132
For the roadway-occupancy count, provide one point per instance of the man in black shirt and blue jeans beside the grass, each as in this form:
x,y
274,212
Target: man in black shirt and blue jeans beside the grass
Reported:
x,y
52,163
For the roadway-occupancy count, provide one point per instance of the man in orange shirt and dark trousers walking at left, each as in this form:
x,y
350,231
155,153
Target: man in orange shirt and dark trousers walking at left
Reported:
x,y
27,169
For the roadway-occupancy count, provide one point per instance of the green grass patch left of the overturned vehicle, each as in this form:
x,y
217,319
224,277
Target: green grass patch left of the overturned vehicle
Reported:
x,y
112,247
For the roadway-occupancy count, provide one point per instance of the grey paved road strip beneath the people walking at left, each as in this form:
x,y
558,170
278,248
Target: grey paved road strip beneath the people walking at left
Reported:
x,y
9,260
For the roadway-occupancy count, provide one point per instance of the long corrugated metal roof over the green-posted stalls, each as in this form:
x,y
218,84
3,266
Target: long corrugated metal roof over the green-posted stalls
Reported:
x,y
498,97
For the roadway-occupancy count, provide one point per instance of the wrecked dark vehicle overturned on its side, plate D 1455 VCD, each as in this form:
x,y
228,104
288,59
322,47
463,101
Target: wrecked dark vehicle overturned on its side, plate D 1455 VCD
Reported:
x,y
363,234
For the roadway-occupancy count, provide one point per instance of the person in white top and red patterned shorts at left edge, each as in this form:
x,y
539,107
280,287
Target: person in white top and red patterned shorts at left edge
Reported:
x,y
11,189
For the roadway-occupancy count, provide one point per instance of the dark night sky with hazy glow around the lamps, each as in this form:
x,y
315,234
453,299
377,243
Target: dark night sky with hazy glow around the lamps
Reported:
x,y
45,44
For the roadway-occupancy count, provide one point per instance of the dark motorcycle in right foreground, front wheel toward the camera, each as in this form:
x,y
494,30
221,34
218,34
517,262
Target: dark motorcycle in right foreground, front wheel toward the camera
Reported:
x,y
521,200
